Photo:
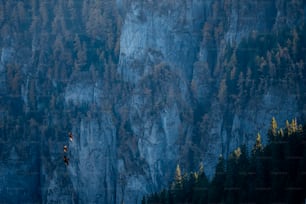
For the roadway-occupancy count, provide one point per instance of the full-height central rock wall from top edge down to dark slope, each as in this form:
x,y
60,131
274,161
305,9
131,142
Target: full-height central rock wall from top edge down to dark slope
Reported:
x,y
158,46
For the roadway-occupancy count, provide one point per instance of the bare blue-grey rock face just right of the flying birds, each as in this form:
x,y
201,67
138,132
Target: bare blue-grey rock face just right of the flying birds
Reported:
x,y
93,158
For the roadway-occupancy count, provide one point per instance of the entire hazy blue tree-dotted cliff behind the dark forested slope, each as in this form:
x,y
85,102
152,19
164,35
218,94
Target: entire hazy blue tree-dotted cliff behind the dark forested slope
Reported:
x,y
142,86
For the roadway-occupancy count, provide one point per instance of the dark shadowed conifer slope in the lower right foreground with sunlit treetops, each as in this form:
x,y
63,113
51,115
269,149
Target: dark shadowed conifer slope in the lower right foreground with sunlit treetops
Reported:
x,y
273,174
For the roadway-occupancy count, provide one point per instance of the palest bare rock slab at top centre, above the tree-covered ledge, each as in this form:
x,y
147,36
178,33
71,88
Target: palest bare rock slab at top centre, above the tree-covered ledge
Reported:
x,y
164,32
